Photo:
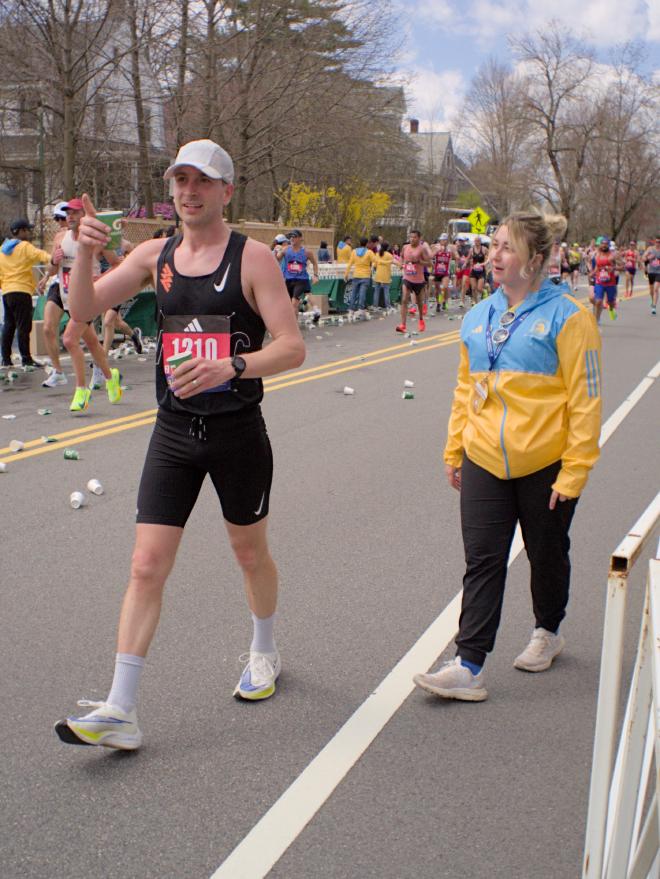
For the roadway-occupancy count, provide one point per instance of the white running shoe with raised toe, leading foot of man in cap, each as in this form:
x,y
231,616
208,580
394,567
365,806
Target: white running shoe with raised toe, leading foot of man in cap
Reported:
x,y
106,725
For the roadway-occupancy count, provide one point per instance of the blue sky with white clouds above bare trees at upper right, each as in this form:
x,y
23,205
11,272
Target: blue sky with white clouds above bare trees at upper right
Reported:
x,y
447,40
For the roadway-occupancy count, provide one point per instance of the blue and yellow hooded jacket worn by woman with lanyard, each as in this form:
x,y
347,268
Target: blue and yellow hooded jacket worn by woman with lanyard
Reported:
x,y
544,392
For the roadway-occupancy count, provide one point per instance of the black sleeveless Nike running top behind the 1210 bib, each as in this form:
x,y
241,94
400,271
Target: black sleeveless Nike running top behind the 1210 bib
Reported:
x,y
206,316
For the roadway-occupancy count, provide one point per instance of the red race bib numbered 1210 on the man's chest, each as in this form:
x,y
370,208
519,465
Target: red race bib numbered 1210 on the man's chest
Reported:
x,y
207,336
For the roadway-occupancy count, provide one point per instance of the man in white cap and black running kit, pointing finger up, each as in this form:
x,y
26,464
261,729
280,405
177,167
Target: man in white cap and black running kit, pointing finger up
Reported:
x,y
218,292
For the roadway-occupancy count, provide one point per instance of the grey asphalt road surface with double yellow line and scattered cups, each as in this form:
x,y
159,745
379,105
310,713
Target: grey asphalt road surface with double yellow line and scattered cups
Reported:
x,y
366,536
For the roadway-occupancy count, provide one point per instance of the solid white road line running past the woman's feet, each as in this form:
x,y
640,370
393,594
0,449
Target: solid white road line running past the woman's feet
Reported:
x,y
265,844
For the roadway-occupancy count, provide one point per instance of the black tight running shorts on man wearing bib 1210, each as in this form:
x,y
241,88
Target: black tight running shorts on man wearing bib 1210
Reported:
x,y
233,449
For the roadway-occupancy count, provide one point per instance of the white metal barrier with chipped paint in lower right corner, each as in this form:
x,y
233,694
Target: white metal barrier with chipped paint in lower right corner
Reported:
x,y
623,830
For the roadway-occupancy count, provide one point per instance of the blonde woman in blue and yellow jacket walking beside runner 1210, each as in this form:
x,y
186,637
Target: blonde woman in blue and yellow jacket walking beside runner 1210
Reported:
x,y
522,437
